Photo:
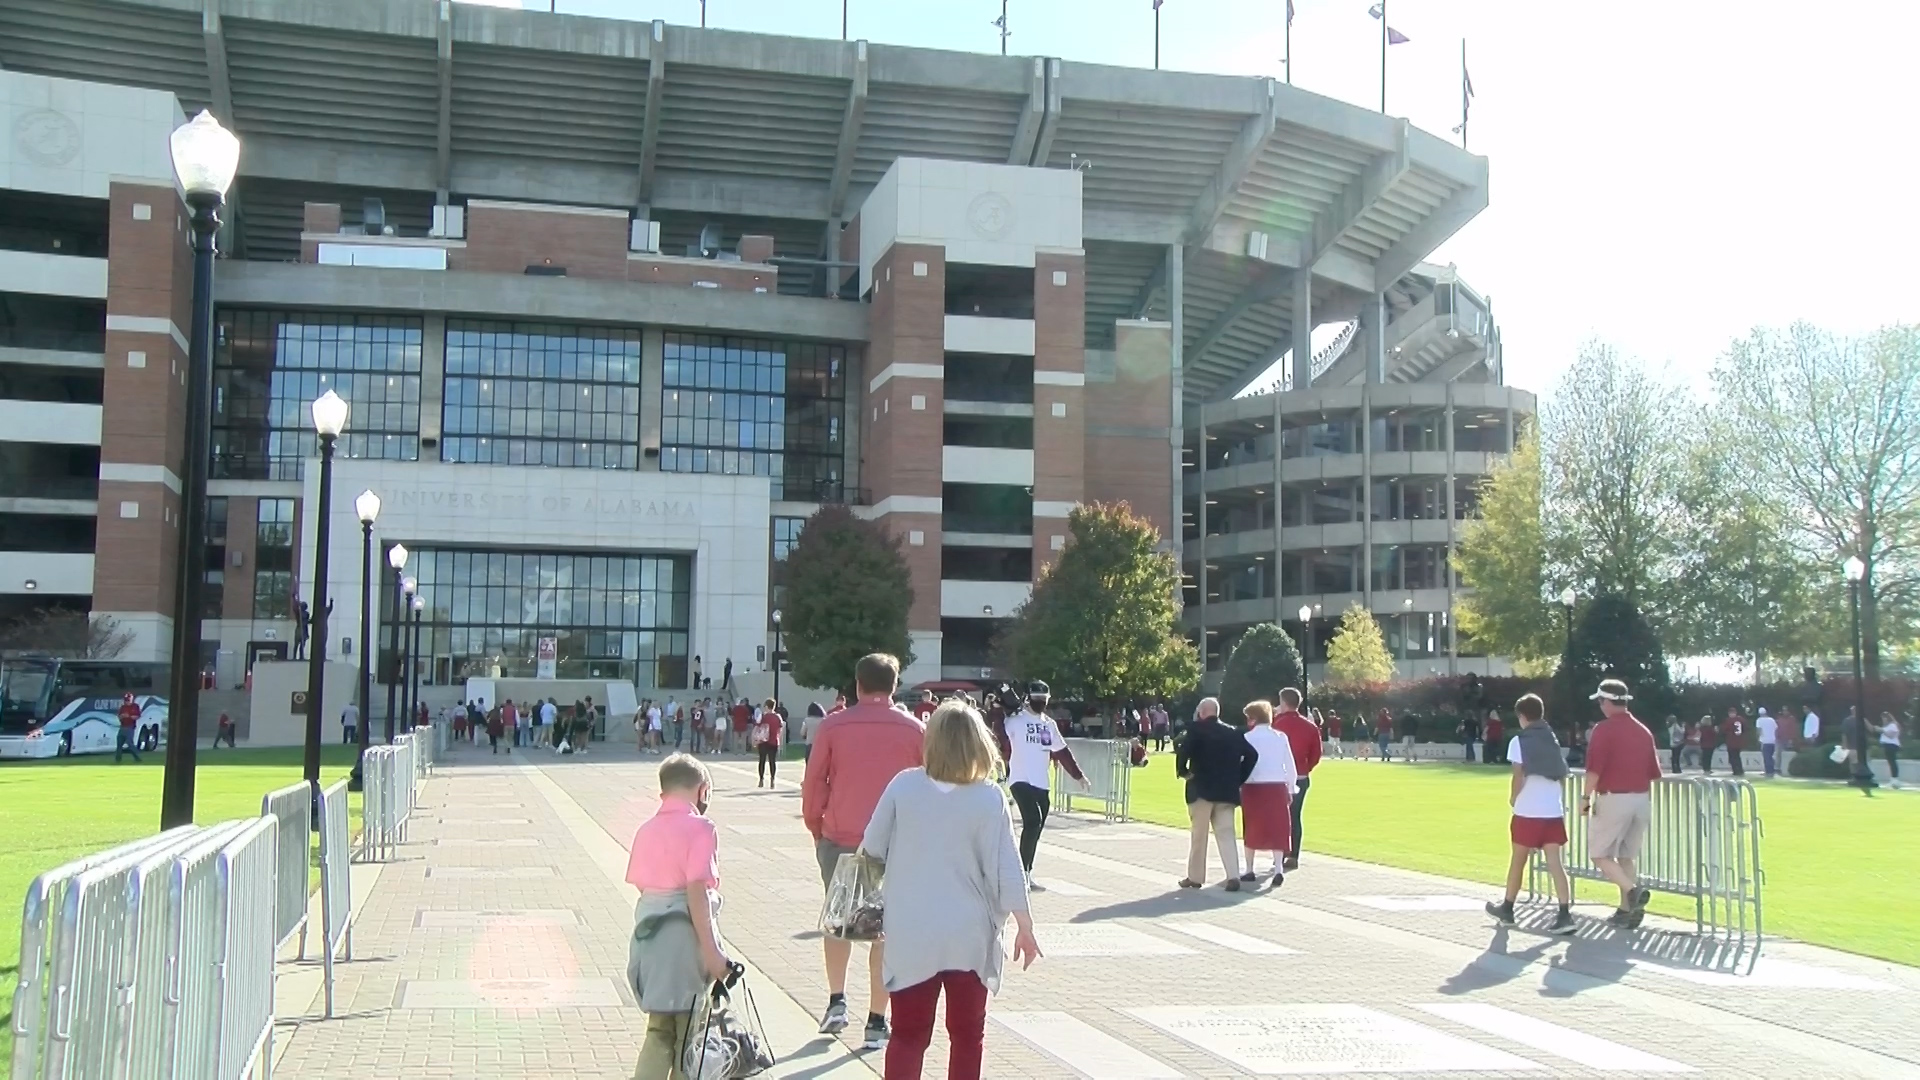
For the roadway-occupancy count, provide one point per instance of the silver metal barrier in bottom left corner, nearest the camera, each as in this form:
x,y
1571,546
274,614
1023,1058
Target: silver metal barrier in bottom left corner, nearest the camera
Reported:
x,y
153,960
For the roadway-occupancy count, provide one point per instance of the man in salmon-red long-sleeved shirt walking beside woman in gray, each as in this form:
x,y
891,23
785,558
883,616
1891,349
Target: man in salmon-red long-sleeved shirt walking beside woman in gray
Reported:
x,y
857,752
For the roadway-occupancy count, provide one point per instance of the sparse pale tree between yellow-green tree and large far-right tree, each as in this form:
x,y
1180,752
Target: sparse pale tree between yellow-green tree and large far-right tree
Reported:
x,y
1616,451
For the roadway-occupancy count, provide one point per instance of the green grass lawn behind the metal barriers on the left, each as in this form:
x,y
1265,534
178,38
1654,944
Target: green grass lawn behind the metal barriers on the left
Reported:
x,y
62,810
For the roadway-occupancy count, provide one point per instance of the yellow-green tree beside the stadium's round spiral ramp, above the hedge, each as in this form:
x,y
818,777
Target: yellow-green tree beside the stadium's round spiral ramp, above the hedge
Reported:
x,y
1502,560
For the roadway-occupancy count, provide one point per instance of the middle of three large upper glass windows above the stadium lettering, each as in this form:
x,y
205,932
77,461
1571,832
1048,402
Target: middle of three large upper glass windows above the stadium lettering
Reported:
x,y
540,395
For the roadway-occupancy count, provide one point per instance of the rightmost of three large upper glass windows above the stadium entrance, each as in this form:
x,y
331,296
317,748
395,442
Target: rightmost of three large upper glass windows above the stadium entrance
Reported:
x,y
757,408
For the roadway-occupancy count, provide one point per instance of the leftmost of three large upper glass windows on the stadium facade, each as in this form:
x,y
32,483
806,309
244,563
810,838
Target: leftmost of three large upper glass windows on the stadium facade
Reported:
x,y
270,368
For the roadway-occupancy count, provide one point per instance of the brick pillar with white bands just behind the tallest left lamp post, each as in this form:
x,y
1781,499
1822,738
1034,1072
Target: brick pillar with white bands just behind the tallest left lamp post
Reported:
x,y
145,397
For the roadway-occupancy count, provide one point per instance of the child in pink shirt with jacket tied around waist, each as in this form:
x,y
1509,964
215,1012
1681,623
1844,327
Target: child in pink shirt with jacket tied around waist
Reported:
x,y
675,954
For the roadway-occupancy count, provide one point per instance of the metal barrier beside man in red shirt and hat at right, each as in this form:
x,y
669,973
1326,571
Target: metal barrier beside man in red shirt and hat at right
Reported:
x,y
1704,843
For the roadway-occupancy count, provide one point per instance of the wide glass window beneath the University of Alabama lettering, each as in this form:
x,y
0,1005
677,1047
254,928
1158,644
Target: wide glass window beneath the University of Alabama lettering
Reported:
x,y
612,616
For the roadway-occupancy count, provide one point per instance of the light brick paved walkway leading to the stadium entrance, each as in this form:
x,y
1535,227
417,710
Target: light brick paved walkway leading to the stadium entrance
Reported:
x,y
496,948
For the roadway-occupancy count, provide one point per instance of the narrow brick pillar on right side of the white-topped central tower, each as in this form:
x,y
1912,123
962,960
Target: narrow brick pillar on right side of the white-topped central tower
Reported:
x,y
1059,397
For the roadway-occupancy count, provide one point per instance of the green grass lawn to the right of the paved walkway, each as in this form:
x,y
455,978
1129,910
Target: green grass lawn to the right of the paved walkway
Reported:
x,y
1838,871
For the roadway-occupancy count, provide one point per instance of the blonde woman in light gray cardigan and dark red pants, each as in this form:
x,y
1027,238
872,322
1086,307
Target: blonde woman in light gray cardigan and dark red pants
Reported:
x,y
953,877
